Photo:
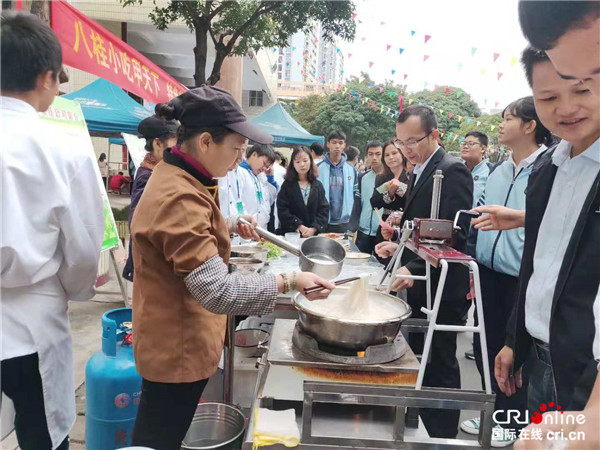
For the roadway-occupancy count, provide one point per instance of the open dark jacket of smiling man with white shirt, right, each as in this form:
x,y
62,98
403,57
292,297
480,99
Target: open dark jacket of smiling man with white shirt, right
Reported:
x,y
572,326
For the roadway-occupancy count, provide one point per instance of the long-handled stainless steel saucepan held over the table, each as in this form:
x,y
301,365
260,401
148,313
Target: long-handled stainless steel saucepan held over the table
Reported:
x,y
319,255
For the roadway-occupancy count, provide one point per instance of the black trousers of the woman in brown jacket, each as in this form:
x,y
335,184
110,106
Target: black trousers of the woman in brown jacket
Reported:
x,y
165,413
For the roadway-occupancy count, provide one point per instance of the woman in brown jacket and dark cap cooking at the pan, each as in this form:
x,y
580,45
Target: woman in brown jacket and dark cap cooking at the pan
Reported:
x,y
182,290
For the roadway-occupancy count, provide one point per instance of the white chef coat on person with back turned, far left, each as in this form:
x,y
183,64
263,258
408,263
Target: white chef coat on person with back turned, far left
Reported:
x,y
52,230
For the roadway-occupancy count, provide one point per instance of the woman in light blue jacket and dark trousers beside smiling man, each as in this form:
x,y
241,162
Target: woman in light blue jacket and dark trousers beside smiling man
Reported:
x,y
499,253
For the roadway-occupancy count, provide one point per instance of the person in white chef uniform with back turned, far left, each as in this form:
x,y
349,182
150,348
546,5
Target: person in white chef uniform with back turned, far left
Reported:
x,y
52,229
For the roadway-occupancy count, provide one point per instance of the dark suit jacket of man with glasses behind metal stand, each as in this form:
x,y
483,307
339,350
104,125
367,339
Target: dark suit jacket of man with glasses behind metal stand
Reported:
x,y
457,194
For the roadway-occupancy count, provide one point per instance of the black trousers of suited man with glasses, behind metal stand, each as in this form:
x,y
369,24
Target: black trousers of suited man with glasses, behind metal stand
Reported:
x,y
443,370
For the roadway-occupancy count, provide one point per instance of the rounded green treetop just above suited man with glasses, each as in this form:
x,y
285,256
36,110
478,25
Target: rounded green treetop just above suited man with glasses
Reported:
x,y
456,102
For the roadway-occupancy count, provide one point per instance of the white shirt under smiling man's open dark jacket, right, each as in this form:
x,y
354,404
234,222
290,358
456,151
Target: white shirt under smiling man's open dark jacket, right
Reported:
x,y
572,184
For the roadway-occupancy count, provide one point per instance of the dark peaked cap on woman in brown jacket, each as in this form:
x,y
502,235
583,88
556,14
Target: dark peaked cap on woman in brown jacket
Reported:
x,y
210,106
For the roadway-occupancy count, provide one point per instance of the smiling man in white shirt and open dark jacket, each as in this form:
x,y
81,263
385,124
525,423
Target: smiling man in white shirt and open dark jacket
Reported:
x,y
560,275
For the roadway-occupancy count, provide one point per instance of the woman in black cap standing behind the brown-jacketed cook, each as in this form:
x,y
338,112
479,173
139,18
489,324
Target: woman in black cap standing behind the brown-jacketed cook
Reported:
x,y
160,134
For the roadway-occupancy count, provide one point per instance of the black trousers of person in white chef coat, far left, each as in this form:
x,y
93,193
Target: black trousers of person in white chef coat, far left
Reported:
x,y
22,383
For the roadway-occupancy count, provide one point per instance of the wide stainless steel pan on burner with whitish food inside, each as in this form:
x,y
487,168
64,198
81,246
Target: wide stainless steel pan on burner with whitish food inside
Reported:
x,y
351,334
